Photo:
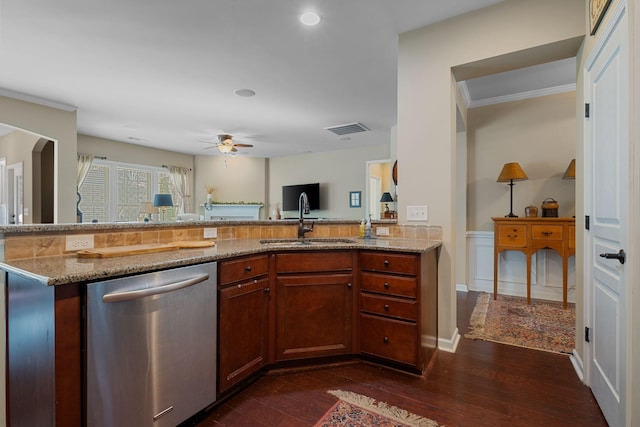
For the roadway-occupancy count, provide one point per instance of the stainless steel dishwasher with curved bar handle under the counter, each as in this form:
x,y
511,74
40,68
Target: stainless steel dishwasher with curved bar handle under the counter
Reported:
x,y
151,347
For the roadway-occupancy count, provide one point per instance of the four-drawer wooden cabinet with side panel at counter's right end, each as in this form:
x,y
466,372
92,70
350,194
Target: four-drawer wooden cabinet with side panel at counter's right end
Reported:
x,y
398,307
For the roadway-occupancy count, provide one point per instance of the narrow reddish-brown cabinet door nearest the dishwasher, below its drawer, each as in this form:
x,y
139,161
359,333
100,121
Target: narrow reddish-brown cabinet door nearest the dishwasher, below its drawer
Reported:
x,y
243,333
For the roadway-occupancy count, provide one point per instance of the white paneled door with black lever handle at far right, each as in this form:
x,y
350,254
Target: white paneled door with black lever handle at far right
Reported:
x,y
606,204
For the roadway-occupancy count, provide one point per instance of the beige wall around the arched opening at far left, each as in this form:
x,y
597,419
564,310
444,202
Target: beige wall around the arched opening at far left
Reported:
x,y
59,126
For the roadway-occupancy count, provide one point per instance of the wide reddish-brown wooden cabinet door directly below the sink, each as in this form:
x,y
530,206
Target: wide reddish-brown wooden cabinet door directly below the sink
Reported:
x,y
314,315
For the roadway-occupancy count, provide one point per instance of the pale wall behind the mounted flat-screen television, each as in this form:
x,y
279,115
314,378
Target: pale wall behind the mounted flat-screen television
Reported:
x,y
338,173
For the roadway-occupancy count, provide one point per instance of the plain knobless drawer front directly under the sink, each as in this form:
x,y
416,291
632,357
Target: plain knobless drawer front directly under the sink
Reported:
x,y
313,261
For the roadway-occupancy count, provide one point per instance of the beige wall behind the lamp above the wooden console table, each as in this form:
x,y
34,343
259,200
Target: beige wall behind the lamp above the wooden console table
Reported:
x,y
538,133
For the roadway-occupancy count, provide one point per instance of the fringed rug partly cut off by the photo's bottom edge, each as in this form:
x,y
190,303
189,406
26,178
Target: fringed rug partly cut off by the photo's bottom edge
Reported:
x,y
357,410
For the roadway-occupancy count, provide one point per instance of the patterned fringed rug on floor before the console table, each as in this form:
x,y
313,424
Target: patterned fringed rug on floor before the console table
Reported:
x,y
542,325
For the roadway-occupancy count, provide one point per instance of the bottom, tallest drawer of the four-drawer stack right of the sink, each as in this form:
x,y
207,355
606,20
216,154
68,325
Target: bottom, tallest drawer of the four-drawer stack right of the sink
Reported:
x,y
389,338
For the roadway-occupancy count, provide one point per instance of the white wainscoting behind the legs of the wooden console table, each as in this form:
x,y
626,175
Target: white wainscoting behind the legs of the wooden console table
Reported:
x,y
546,270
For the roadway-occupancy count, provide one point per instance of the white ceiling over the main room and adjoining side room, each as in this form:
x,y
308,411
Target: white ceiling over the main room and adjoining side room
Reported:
x,y
163,73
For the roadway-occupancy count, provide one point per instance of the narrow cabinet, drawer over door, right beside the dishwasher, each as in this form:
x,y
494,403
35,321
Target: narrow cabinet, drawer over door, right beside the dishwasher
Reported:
x,y
243,334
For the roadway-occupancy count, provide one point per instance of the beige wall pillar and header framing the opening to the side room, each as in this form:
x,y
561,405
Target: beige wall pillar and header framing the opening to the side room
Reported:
x,y
513,33
